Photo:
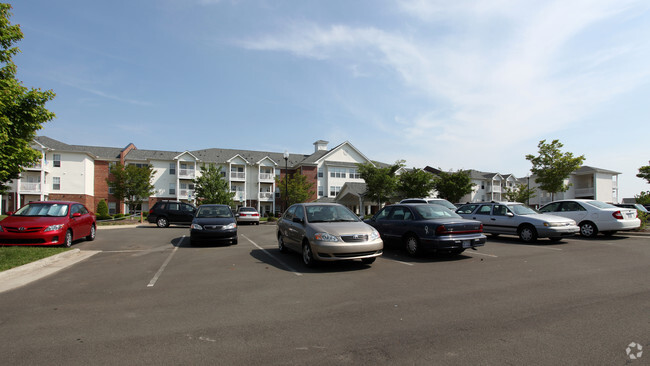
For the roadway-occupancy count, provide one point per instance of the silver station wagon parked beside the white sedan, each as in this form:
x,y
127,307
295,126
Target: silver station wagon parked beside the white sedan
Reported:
x,y
515,218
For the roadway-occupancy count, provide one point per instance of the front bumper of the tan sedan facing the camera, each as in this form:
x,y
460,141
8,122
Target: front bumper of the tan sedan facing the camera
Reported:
x,y
337,251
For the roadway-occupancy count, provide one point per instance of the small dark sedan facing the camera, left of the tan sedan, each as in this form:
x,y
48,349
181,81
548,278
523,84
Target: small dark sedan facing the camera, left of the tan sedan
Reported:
x,y
213,223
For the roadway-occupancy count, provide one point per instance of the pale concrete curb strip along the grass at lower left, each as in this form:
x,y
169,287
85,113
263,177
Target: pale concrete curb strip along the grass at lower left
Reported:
x,y
22,275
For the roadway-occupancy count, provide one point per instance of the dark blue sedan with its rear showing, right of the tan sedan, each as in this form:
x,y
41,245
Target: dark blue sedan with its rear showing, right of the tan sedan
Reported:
x,y
427,227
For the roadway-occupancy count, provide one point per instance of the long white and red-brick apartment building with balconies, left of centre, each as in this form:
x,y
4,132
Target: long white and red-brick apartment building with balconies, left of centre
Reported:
x,y
79,173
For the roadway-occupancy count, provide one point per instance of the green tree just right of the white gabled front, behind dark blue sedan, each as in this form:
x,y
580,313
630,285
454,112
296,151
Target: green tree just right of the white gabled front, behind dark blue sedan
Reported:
x,y
381,182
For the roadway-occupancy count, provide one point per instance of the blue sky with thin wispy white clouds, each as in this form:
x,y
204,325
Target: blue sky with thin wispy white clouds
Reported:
x,y
454,85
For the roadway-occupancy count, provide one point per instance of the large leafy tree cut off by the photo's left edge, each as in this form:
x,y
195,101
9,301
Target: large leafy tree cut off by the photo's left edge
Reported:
x,y
22,110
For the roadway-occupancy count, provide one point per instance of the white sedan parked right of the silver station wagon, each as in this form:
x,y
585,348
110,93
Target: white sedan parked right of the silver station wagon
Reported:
x,y
594,216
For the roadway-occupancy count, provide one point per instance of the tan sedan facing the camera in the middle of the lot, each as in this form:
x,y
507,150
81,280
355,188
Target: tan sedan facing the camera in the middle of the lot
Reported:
x,y
327,232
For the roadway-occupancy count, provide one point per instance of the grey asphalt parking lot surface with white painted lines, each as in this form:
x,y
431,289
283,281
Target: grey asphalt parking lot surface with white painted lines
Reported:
x,y
149,298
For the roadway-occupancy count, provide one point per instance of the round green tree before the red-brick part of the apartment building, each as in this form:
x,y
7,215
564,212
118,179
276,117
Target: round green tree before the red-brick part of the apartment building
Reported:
x,y
131,184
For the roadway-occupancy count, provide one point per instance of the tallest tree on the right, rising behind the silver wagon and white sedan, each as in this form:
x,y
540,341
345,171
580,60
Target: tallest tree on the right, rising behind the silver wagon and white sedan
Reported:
x,y
551,167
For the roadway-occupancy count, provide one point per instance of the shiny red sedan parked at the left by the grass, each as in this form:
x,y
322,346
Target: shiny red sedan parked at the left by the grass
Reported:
x,y
48,223
